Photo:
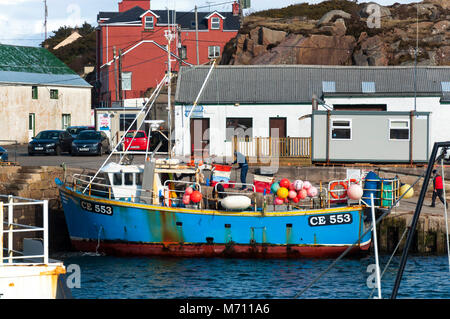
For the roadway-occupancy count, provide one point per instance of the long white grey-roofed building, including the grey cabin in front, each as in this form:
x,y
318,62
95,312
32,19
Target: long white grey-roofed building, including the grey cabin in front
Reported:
x,y
269,111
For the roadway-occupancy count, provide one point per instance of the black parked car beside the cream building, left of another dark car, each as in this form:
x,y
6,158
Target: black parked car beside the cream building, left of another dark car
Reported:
x,y
50,142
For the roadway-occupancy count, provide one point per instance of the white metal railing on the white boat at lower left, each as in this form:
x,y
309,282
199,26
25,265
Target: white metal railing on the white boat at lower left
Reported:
x,y
10,228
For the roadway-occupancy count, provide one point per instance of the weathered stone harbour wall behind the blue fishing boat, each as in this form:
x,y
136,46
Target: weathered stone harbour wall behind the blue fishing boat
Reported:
x,y
39,183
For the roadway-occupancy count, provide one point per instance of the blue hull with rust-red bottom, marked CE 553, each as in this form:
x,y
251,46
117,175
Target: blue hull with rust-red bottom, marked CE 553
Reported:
x,y
124,228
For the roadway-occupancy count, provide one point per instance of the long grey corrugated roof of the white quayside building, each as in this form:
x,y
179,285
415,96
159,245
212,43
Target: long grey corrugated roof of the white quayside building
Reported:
x,y
298,83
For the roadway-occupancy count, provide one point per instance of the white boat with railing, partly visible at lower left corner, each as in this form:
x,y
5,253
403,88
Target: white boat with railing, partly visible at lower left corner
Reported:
x,y
29,273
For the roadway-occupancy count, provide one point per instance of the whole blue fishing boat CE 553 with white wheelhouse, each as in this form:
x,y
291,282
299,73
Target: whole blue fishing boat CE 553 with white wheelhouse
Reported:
x,y
116,215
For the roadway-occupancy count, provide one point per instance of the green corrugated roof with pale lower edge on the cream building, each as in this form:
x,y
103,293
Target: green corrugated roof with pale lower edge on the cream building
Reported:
x,y
34,65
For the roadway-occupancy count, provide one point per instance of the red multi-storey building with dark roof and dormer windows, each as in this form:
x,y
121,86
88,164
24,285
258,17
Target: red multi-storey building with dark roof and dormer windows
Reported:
x,y
138,34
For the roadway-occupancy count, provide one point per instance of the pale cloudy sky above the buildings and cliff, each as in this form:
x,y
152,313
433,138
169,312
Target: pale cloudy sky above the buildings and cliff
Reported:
x,y
22,21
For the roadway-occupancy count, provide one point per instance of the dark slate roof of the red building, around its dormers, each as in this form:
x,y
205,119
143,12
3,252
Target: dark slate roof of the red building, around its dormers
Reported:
x,y
184,19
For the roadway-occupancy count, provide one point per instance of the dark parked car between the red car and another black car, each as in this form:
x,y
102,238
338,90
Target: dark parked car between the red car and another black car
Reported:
x,y
91,142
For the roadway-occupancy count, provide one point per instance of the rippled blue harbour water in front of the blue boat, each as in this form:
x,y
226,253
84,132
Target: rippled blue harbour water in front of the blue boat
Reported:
x,y
105,277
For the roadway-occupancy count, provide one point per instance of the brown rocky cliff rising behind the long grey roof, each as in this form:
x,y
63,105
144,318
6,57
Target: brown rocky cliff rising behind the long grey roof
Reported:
x,y
340,32
